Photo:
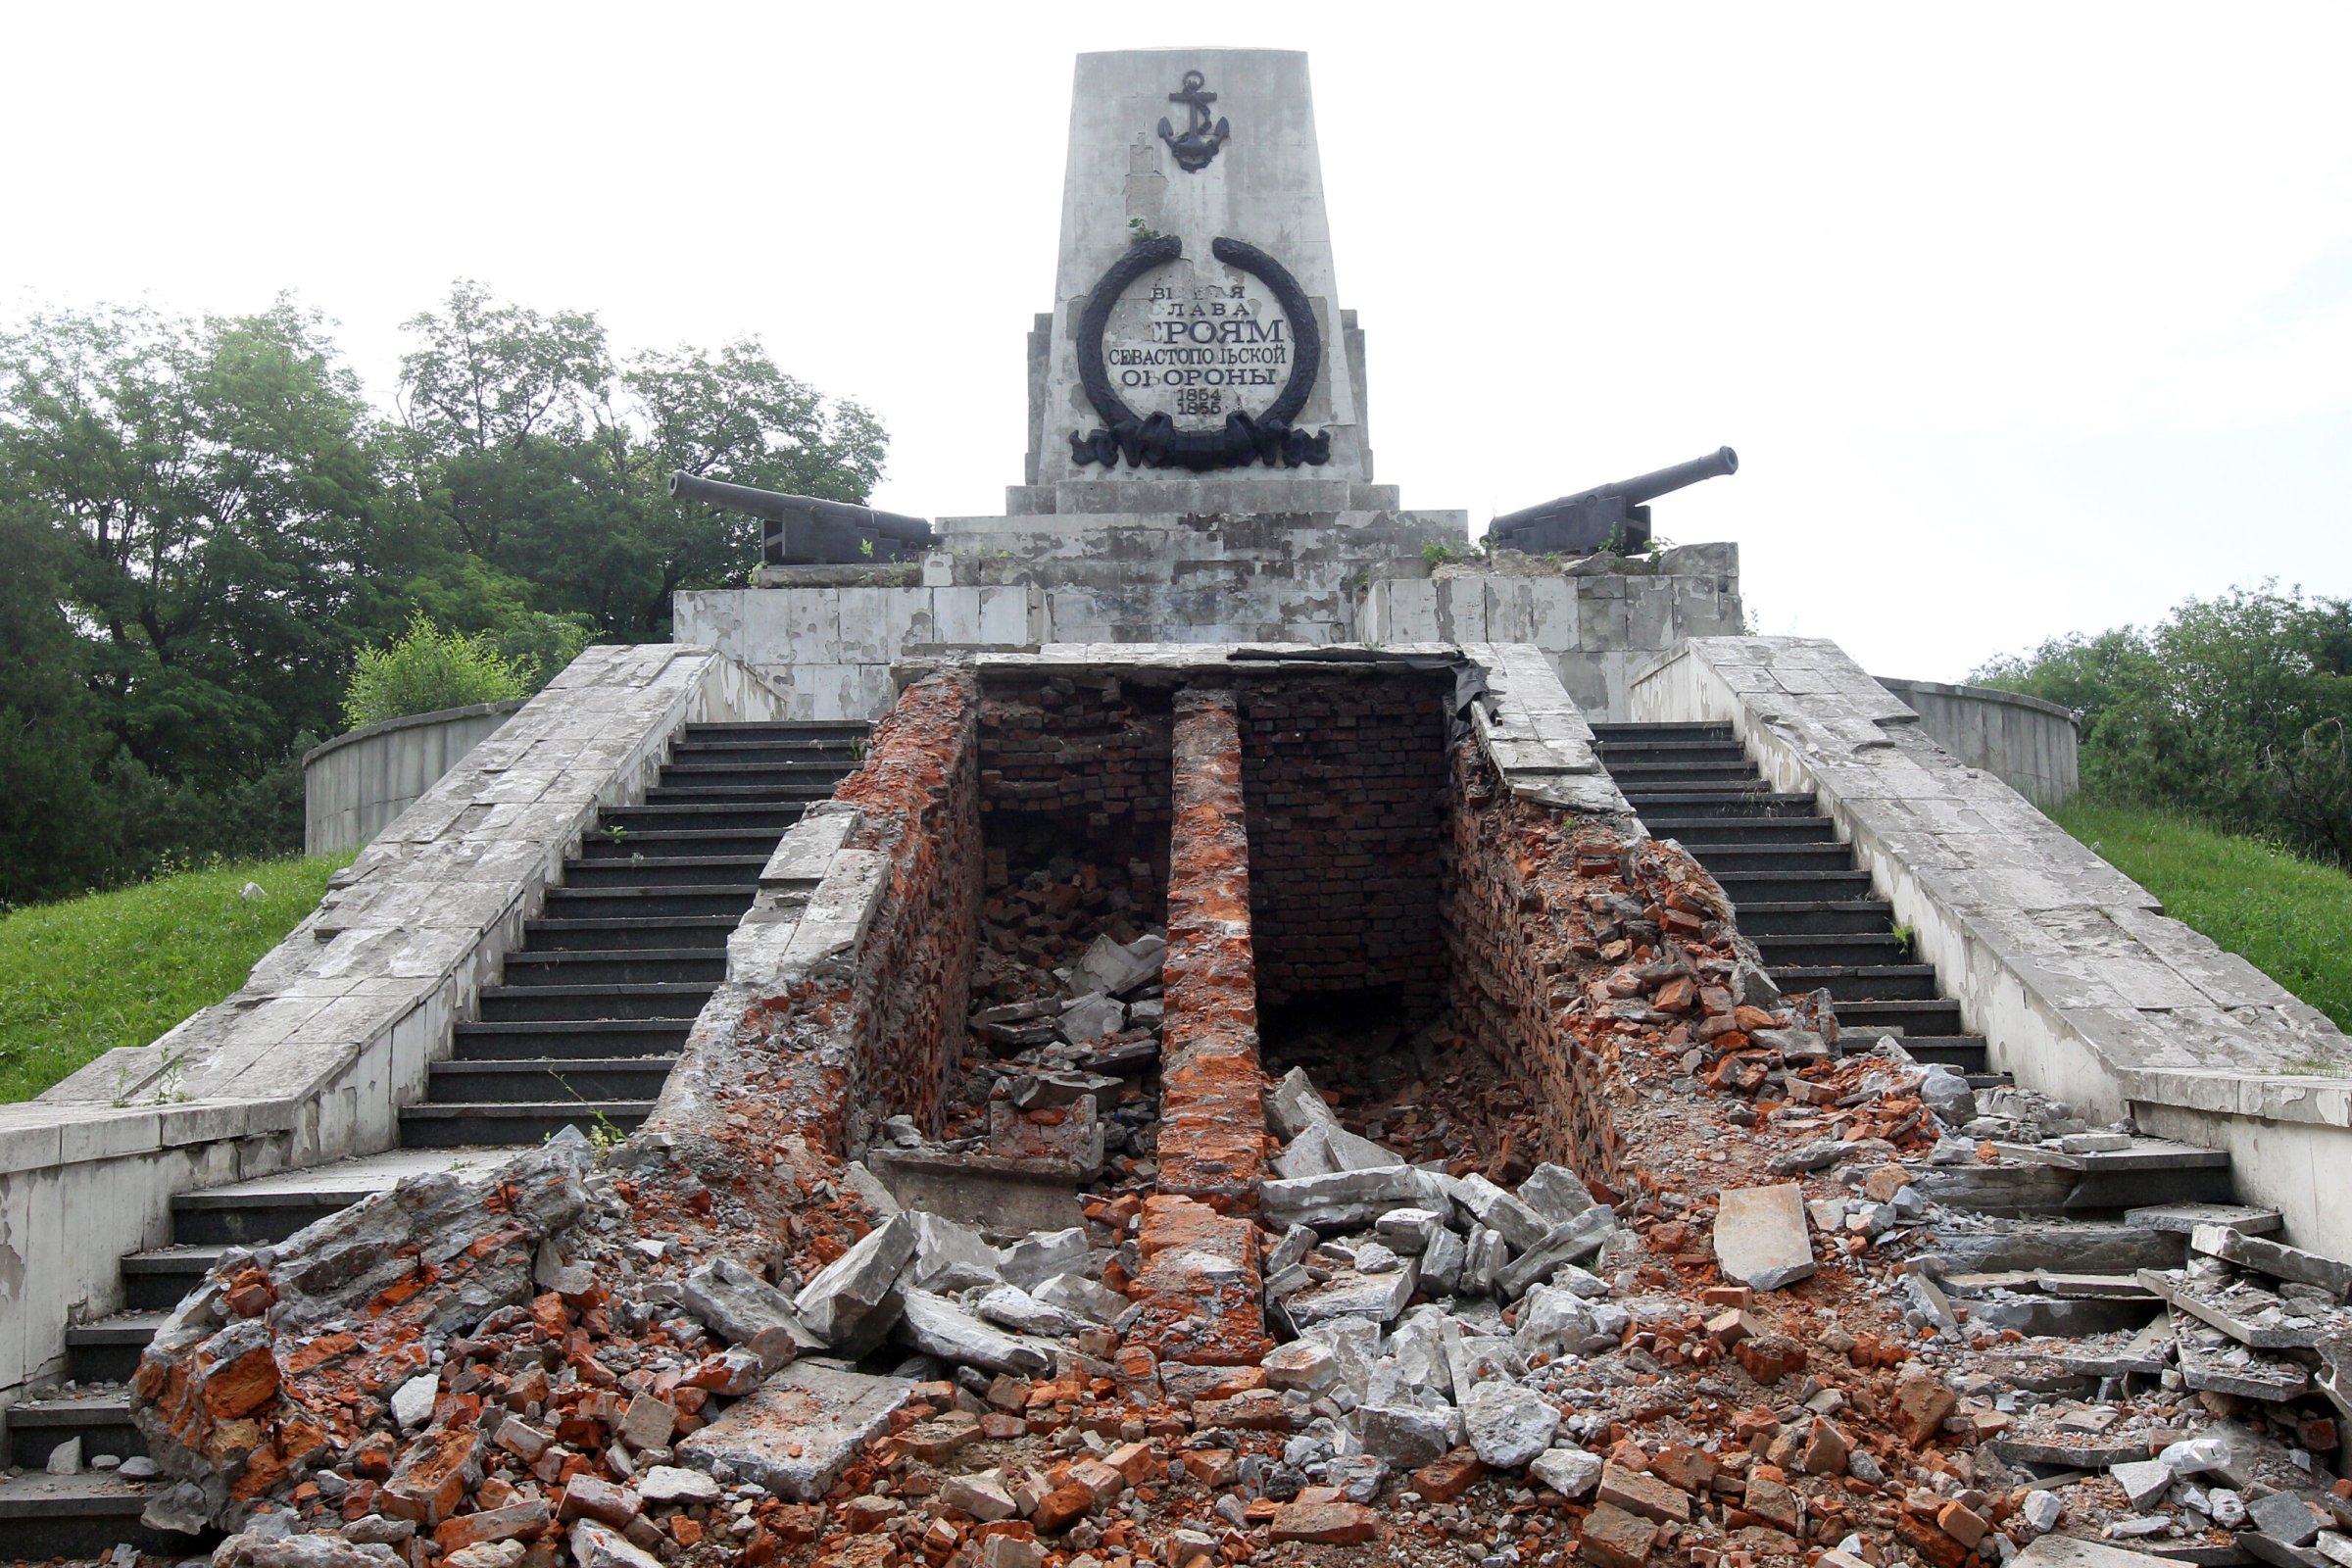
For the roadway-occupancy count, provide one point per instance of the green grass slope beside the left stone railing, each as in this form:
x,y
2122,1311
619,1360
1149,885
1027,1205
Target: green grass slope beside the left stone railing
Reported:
x,y
119,970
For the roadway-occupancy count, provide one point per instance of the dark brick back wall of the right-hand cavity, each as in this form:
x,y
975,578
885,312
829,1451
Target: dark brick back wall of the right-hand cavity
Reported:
x,y
1347,784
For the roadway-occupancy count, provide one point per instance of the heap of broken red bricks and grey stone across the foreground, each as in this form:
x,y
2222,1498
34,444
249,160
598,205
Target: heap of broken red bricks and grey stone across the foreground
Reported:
x,y
1699,1278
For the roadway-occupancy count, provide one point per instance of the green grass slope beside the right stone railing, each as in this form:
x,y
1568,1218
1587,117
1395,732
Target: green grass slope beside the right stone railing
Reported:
x,y
2290,918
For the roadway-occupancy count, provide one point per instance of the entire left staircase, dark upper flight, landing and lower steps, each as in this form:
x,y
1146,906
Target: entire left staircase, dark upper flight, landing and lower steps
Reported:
x,y
584,1031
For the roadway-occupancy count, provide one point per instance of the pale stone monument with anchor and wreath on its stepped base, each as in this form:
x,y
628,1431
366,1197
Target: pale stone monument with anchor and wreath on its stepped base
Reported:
x,y
1198,448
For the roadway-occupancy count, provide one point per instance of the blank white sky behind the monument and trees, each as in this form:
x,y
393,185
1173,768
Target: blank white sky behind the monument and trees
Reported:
x,y
2024,319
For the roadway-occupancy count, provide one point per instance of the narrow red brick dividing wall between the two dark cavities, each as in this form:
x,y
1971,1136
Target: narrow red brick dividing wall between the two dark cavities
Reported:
x,y
1212,1118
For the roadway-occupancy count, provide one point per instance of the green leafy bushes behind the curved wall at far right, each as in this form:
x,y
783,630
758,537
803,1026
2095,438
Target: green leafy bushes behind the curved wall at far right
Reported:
x,y
2233,711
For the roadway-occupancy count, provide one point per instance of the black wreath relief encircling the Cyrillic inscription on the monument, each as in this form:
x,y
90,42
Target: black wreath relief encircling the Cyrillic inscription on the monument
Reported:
x,y
1156,441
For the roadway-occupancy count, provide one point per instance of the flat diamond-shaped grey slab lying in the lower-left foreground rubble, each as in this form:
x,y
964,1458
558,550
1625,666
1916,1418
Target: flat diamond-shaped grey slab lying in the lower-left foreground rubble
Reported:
x,y
799,1433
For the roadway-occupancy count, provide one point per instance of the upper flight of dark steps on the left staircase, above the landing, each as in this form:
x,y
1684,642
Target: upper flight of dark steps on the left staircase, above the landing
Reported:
x,y
606,986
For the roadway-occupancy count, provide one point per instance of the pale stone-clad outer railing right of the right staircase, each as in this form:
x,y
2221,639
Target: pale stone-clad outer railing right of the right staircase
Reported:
x,y
2071,970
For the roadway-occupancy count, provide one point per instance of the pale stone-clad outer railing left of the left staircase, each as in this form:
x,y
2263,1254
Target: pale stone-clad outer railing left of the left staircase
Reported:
x,y
340,1024
